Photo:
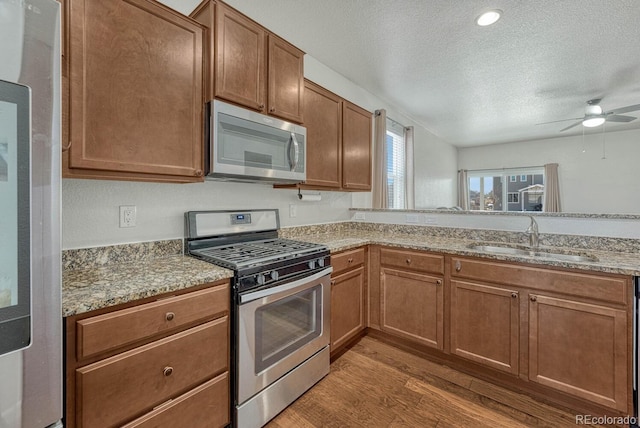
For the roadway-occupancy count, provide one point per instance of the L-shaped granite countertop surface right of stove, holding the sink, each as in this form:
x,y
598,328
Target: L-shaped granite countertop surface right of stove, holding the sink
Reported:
x,y
607,261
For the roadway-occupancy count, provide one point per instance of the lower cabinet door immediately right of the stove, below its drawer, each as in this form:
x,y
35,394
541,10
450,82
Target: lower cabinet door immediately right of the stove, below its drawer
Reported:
x,y
347,306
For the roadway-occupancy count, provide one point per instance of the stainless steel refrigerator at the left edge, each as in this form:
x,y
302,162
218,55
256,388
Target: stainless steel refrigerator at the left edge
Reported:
x,y
30,265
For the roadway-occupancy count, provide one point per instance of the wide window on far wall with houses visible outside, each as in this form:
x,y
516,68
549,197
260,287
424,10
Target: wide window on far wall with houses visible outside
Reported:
x,y
501,190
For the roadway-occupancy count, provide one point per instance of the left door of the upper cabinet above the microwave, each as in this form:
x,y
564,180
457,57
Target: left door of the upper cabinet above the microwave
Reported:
x,y
240,59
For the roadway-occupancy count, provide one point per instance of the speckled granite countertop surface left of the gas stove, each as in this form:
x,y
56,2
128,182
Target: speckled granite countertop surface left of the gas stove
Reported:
x,y
88,289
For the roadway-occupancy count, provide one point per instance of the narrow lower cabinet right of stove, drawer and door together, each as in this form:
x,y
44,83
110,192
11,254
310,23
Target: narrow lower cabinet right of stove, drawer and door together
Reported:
x,y
348,297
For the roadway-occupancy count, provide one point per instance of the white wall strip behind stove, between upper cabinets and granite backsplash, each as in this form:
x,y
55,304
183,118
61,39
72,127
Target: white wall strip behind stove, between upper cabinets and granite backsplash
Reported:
x,y
91,208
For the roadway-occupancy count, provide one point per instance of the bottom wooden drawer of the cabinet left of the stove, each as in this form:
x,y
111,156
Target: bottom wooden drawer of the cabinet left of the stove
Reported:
x,y
206,406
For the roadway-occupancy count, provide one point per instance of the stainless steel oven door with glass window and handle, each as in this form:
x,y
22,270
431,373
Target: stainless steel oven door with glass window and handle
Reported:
x,y
279,328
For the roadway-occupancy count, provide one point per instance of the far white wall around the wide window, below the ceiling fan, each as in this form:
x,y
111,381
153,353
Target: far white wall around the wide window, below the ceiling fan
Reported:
x,y
592,180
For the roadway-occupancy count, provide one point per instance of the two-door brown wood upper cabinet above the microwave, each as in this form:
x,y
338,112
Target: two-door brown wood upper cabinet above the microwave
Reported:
x,y
249,65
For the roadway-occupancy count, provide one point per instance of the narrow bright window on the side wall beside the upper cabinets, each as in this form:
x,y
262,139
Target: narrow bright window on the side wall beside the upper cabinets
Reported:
x,y
396,165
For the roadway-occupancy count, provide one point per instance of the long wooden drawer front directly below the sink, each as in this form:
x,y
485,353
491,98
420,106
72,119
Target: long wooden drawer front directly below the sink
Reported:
x,y
594,286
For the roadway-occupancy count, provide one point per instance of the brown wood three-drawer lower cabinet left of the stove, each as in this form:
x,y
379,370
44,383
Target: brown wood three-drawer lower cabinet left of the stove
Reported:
x,y
169,369
